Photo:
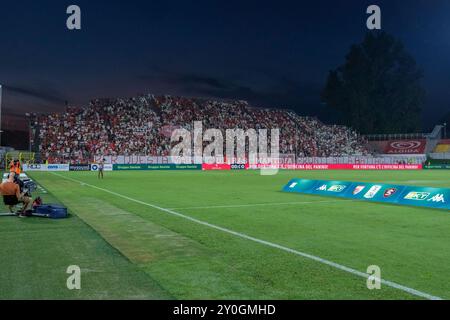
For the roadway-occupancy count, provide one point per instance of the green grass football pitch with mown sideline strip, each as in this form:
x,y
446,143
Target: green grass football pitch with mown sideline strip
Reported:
x,y
129,250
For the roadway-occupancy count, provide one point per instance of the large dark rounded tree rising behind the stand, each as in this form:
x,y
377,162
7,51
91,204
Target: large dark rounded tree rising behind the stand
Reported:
x,y
378,88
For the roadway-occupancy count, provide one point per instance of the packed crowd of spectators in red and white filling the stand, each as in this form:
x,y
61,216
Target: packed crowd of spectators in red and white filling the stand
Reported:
x,y
142,126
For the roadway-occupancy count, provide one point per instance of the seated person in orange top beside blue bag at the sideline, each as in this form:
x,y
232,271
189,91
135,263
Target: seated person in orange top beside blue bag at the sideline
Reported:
x,y
12,195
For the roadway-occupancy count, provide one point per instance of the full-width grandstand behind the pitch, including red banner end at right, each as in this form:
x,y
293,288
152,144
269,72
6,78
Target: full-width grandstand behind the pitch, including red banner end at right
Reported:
x,y
142,126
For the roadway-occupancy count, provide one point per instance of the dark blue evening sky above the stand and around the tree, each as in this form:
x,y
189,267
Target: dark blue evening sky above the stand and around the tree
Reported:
x,y
273,53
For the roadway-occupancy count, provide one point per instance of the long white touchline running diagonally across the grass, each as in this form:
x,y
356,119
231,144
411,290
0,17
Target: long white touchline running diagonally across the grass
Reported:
x,y
264,242
